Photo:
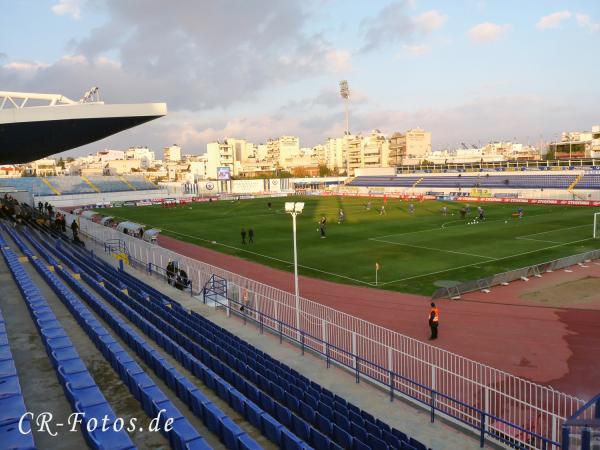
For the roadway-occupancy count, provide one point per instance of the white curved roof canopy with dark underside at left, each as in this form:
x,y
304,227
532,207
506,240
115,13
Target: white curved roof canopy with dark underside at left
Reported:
x,y
33,126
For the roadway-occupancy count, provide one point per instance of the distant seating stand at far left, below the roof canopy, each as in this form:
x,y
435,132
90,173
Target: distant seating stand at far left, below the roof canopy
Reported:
x,y
77,185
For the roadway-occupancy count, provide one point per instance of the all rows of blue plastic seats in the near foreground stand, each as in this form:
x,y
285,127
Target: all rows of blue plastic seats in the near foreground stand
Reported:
x,y
189,353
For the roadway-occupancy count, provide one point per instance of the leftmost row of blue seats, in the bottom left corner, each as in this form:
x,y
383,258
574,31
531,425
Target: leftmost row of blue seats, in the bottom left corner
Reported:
x,y
12,404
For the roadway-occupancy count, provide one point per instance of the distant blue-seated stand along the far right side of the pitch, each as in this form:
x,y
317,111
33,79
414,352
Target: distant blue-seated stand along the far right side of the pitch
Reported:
x,y
548,181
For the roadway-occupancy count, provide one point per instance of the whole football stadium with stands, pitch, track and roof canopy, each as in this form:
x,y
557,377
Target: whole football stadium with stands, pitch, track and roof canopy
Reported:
x,y
294,312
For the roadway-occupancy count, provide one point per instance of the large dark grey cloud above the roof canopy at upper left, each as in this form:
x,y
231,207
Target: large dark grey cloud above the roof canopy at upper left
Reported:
x,y
192,54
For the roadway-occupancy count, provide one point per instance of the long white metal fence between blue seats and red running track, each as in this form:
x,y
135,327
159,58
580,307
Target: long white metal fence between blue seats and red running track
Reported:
x,y
412,367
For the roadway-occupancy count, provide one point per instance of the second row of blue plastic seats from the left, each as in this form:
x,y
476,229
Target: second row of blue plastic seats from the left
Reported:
x,y
80,388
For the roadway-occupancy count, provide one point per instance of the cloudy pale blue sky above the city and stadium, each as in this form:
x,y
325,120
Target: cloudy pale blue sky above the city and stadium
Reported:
x,y
469,71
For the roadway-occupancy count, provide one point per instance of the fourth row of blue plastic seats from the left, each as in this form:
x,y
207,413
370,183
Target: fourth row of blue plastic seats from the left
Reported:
x,y
215,419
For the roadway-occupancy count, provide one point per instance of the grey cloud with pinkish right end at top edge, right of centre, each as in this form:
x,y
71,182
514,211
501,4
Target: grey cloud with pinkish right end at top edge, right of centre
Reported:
x,y
395,24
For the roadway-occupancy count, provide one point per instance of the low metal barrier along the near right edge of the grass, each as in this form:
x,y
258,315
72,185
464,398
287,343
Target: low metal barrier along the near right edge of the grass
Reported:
x,y
535,270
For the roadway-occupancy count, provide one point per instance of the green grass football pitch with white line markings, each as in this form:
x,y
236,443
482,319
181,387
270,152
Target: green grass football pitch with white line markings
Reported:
x,y
416,252
